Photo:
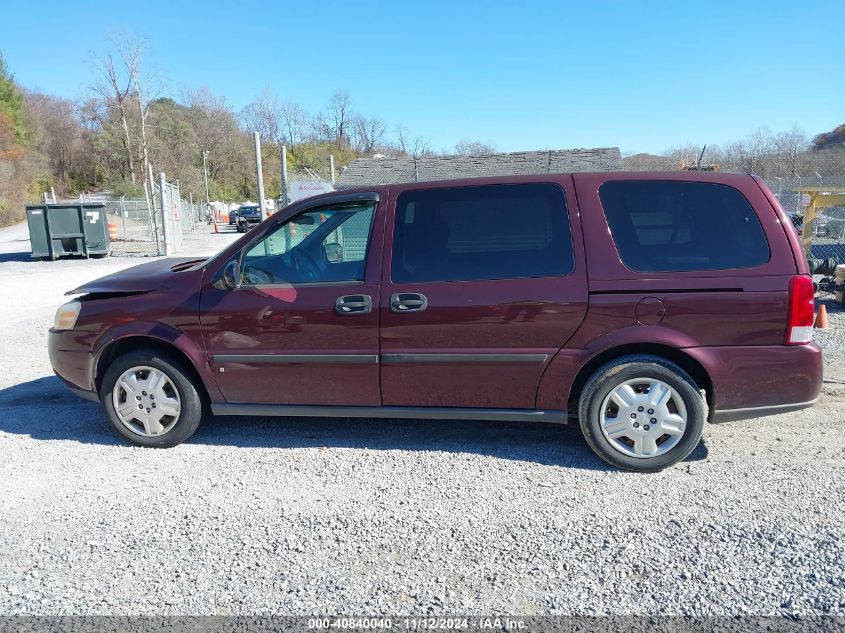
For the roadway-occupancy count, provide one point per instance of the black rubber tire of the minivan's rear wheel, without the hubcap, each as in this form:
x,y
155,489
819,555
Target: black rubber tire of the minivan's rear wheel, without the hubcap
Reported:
x,y
615,373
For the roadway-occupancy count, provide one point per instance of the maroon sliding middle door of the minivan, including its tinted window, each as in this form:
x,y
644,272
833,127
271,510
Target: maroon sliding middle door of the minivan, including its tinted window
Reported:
x,y
482,286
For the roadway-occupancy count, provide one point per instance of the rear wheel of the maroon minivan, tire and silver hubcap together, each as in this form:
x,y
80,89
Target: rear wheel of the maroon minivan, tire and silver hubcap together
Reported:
x,y
642,413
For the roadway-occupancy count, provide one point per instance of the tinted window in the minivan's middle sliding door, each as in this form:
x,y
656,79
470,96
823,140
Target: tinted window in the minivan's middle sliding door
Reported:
x,y
486,232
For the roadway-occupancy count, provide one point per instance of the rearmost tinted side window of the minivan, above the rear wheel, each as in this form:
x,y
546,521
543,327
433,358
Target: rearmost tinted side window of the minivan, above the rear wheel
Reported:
x,y
670,226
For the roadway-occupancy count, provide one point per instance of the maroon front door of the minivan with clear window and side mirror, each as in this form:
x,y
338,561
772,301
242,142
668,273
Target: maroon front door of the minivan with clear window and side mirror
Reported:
x,y
302,327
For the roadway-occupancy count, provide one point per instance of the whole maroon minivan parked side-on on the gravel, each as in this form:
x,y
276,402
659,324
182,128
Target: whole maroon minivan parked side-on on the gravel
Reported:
x,y
643,303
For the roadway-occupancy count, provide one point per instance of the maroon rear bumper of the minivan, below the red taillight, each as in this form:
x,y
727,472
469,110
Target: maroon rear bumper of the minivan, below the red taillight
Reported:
x,y
755,381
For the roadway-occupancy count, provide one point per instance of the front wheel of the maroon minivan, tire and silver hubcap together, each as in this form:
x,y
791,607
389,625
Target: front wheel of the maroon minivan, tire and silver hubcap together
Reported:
x,y
150,400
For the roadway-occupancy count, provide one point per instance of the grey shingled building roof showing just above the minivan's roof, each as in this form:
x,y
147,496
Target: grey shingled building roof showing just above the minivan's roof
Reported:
x,y
363,172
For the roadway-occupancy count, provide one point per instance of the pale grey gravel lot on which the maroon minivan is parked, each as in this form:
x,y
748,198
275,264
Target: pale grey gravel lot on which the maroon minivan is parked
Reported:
x,y
305,516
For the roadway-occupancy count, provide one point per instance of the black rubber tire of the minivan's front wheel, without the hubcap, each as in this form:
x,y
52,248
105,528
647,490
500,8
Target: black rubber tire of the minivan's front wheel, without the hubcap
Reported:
x,y
191,402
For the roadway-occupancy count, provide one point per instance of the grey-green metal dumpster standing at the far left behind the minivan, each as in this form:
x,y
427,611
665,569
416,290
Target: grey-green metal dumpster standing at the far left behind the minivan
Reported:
x,y
65,230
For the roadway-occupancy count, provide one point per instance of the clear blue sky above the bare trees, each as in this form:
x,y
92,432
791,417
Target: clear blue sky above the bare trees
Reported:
x,y
645,76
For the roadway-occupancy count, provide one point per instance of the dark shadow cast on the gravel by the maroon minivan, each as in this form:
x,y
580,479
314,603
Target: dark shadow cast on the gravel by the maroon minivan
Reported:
x,y
45,410
